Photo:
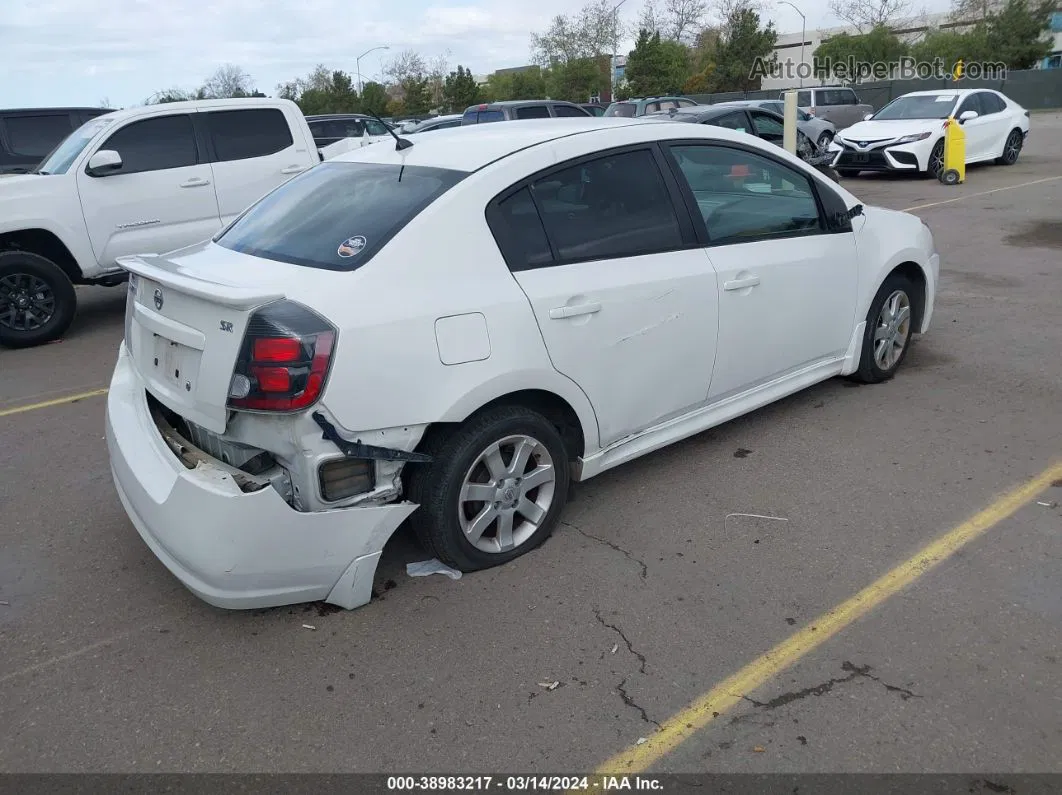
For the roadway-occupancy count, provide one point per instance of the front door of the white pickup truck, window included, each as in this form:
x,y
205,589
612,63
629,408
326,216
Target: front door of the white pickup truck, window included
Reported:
x,y
163,198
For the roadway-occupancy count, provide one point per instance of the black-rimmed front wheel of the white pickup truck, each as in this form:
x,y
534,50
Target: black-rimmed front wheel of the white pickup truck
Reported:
x,y
33,287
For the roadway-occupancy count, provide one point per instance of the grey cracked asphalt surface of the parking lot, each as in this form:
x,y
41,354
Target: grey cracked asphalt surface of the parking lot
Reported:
x,y
650,595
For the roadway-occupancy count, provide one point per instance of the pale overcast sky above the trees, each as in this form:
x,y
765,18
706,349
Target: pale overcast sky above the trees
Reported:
x,y
81,53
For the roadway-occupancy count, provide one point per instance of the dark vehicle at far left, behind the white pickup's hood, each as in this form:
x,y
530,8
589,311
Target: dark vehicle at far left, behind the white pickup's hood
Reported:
x,y
27,136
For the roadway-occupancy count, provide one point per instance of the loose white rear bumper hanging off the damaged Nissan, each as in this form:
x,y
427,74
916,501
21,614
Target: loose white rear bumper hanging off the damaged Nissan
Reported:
x,y
234,549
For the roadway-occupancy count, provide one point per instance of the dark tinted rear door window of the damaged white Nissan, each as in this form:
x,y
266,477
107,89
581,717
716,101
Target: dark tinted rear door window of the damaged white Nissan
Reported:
x,y
615,206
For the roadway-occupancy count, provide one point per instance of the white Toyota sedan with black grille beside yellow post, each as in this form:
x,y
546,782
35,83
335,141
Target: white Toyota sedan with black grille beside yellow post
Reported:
x,y
909,133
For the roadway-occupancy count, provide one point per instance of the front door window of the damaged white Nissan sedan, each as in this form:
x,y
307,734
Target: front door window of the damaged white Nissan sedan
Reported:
x,y
746,197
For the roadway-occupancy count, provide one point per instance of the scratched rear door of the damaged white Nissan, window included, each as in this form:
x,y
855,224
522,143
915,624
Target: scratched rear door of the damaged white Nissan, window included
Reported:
x,y
625,299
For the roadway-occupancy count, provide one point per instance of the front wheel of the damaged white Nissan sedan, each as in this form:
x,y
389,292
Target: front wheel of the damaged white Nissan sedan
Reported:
x,y
880,364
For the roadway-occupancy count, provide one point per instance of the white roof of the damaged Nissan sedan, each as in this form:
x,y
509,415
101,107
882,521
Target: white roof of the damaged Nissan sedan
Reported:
x,y
471,148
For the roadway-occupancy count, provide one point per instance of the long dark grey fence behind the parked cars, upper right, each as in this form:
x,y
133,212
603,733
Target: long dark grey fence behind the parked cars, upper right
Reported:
x,y
1033,89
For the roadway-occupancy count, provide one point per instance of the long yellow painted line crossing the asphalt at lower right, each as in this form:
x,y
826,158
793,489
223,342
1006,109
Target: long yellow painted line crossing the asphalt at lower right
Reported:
x,y
730,693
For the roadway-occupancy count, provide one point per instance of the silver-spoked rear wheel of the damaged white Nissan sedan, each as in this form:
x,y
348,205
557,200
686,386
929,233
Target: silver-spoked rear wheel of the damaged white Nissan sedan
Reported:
x,y
450,515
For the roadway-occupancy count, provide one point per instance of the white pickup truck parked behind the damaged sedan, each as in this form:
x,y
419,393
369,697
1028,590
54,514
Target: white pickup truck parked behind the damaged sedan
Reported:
x,y
142,181
